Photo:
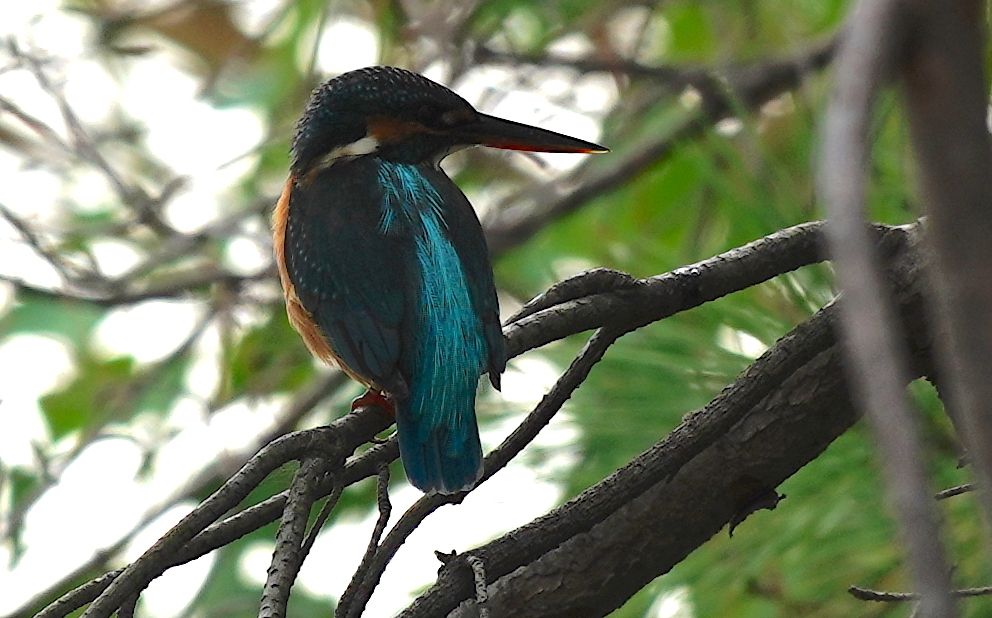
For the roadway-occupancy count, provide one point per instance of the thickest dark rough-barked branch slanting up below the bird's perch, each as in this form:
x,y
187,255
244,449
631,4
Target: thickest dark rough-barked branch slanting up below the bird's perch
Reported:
x,y
776,417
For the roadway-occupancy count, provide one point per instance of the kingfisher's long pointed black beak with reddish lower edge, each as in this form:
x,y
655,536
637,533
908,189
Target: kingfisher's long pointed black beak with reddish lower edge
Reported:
x,y
498,133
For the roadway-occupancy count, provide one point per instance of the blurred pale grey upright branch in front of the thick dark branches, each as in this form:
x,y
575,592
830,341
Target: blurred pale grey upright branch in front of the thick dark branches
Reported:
x,y
876,33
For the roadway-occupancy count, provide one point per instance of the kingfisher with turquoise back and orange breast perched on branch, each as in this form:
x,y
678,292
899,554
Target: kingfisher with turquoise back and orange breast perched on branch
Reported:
x,y
383,262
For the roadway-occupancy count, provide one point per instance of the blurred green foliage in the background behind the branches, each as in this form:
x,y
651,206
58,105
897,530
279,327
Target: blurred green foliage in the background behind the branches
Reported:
x,y
737,182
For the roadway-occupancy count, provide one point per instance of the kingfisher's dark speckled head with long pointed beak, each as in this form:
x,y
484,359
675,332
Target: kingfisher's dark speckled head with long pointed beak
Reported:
x,y
404,117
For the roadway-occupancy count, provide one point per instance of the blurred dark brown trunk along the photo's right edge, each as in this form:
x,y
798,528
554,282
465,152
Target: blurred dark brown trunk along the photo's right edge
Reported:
x,y
944,80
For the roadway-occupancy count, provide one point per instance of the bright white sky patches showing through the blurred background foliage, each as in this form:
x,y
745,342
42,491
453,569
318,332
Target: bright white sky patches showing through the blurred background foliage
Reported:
x,y
196,139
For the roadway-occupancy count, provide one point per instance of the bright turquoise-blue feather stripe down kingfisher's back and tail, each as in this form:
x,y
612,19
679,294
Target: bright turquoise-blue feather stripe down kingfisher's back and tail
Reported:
x,y
439,440
